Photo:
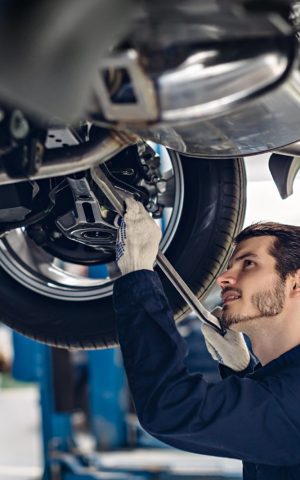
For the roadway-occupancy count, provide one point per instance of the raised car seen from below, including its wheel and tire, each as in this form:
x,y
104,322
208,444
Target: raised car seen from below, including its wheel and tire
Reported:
x,y
167,103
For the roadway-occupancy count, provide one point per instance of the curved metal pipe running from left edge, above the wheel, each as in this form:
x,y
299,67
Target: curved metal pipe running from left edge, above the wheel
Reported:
x,y
58,162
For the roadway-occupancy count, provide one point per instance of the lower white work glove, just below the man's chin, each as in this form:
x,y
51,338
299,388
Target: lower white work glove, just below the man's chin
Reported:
x,y
230,350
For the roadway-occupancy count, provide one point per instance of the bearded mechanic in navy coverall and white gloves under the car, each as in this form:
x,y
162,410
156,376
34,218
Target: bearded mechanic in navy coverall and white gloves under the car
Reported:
x,y
253,413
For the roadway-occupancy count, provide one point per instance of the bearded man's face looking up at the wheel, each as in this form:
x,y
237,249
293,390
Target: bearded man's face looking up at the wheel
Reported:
x,y
251,287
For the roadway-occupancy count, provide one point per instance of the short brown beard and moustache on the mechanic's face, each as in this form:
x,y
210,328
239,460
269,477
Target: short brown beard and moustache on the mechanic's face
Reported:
x,y
267,304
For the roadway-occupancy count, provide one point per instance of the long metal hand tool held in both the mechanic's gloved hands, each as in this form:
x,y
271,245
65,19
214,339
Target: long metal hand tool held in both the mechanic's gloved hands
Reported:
x,y
194,303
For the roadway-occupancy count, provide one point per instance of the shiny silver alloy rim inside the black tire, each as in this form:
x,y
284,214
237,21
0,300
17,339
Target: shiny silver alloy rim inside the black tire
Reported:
x,y
33,267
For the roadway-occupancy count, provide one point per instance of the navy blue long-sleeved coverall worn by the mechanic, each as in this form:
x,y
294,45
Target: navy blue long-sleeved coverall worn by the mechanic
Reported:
x,y
252,415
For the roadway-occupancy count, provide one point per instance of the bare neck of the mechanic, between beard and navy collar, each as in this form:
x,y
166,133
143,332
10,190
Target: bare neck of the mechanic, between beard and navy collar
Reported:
x,y
271,337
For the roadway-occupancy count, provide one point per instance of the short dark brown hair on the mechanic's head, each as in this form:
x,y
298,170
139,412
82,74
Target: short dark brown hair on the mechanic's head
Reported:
x,y
286,246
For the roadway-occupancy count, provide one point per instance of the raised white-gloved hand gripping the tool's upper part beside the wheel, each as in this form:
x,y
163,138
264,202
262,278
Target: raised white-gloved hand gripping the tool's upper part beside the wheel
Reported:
x,y
138,239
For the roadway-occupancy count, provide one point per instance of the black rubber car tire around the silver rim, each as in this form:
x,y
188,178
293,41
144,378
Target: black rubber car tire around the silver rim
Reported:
x,y
212,214
